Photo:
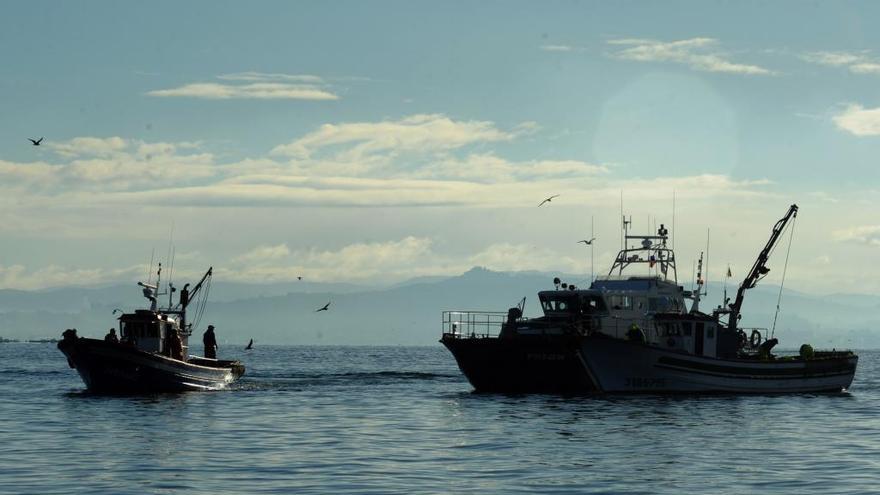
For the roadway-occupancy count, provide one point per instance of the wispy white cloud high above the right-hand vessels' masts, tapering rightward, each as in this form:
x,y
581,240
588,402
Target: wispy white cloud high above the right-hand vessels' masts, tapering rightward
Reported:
x,y
697,53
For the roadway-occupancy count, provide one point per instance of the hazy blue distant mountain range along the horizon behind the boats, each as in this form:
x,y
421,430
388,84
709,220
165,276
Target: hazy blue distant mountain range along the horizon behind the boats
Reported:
x,y
406,313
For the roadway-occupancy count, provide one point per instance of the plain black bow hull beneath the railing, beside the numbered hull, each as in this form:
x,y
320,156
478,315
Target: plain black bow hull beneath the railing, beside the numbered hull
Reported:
x,y
538,364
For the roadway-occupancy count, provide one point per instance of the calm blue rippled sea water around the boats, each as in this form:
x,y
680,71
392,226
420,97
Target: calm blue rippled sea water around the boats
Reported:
x,y
404,420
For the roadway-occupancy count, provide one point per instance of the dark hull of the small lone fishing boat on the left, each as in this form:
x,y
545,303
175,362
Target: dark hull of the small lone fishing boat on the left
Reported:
x,y
109,368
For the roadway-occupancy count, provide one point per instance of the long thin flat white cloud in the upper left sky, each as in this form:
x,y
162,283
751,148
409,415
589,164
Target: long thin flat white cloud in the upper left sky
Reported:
x,y
260,91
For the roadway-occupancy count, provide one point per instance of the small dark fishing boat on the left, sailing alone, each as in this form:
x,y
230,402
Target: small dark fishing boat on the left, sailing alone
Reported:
x,y
151,355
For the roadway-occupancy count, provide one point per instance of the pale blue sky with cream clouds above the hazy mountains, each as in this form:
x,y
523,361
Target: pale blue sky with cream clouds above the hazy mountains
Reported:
x,y
372,142
